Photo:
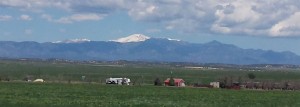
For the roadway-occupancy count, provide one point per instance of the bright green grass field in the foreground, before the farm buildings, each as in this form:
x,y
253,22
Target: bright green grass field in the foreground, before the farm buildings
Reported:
x,y
94,95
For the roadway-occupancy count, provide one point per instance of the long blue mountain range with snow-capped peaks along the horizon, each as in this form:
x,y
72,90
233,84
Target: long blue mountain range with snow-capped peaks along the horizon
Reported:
x,y
139,47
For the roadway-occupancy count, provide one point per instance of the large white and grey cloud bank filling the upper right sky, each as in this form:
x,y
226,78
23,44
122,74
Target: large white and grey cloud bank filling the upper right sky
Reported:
x,y
233,17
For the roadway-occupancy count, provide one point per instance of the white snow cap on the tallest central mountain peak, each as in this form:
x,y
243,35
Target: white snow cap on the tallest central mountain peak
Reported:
x,y
132,38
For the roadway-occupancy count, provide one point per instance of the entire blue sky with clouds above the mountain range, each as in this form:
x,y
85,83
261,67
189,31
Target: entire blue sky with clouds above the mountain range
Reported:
x,y
256,24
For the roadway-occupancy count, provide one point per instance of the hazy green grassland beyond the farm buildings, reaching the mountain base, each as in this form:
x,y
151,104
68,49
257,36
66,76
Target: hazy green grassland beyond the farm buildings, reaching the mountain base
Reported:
x,y
55,72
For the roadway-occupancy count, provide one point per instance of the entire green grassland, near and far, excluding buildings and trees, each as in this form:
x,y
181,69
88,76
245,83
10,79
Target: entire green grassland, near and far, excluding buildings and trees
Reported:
x,y
64,86
